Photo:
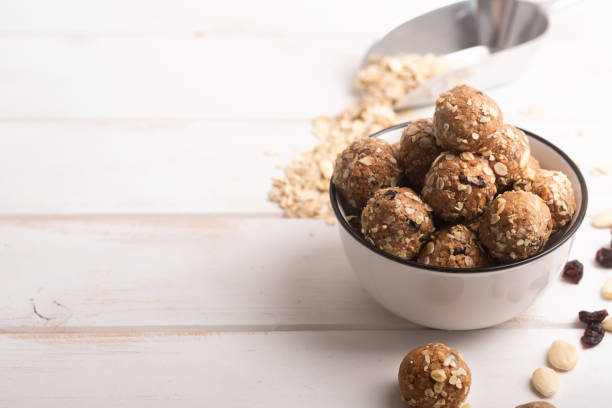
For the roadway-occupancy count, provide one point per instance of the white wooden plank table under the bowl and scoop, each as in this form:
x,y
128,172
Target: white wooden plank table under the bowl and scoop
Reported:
x,y
141,263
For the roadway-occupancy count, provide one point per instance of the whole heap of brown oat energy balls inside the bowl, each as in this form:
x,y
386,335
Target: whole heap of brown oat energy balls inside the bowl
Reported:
x,y
484,198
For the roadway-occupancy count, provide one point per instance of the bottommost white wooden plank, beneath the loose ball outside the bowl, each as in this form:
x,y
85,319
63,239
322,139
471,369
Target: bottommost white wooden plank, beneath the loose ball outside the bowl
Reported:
x,y
298,369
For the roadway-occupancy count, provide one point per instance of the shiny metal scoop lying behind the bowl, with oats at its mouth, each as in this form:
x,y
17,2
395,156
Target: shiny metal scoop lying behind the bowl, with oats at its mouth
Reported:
x,y
487,43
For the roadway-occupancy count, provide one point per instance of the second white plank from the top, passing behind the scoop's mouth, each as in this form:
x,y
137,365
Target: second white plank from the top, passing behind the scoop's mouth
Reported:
x,y
240,78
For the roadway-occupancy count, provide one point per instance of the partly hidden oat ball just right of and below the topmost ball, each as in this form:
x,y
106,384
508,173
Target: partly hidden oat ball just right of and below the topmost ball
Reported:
x,y
508,153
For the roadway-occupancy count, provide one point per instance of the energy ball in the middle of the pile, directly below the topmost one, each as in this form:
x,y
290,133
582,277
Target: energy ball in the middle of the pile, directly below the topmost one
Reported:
x,y
459,187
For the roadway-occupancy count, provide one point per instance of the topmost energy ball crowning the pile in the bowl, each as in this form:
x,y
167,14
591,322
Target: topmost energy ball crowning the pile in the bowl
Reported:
x,y
464,117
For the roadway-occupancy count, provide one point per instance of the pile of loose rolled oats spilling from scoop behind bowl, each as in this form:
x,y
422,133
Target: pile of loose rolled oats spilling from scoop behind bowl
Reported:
x,y
303,190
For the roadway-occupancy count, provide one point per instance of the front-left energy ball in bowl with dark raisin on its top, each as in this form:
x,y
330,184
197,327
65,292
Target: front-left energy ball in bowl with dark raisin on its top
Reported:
x,y
396,221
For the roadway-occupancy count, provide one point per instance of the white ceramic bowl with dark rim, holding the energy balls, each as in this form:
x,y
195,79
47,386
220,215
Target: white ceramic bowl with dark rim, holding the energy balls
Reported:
x,y
463,299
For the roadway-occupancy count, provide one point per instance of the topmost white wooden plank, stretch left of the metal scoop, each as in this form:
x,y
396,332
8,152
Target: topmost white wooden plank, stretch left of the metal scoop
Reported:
x,y
139,17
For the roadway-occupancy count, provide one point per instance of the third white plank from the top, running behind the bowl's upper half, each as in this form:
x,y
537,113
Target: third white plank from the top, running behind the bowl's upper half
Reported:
x,y
190,166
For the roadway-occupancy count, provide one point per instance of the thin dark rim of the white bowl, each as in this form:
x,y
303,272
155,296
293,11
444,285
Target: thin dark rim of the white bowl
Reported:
x,y
567,234
